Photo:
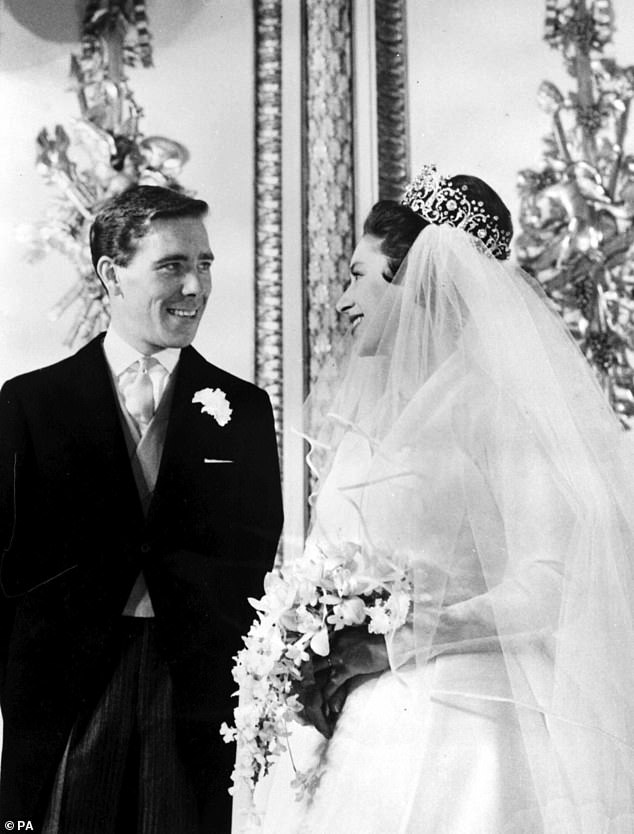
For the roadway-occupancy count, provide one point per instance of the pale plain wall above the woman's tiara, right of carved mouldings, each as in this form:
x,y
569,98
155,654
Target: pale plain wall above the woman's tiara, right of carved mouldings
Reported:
x,y
474,70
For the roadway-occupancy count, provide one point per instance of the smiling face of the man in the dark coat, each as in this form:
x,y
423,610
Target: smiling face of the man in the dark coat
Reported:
x,y
158,299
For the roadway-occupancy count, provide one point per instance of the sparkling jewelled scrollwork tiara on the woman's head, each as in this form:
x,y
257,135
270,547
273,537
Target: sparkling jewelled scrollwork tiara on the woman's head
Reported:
x,y
440,202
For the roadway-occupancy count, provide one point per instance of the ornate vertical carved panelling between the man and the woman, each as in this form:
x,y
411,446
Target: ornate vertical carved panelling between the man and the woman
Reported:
x,y
331,100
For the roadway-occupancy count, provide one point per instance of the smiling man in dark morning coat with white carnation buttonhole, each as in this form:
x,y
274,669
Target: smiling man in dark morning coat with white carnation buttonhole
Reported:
x,y
139,508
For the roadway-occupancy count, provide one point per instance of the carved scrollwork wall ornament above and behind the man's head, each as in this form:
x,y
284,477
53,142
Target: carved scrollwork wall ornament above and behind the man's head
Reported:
x,y
100,155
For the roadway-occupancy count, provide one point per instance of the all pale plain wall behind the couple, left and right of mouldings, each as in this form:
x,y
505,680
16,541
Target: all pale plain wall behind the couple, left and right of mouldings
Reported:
x,y
474,70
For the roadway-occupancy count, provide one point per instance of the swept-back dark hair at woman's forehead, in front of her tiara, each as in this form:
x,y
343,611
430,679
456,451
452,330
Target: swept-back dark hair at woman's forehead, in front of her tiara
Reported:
x,y
397,227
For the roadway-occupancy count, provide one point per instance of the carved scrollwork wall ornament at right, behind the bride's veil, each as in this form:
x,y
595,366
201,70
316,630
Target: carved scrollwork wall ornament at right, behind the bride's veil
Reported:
x,y
577,207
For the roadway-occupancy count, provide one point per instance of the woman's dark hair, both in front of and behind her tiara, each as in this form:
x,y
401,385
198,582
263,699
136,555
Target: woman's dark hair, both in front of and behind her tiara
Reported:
x,y
397,226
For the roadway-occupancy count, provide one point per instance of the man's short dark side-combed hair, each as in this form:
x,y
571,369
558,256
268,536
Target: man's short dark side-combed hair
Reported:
x,y
125,219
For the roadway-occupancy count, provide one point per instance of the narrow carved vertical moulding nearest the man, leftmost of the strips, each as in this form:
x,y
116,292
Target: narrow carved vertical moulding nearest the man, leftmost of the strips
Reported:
x,y
268,205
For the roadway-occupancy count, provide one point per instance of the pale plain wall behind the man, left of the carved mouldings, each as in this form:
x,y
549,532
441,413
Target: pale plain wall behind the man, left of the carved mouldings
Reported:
x,y
199,93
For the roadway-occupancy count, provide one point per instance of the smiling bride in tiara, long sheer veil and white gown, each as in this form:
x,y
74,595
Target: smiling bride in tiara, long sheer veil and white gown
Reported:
x,y
469,440
